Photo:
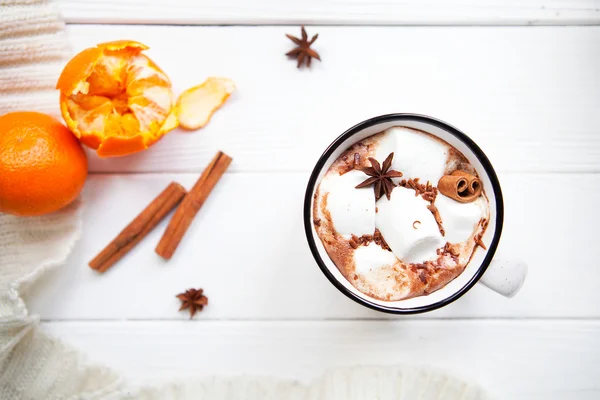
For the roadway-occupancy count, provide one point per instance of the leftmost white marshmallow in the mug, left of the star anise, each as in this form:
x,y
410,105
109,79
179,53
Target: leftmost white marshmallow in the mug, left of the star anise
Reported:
x,y
352,210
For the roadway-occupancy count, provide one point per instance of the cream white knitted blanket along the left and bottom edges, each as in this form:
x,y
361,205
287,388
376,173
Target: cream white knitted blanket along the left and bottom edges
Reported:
x,y
34,366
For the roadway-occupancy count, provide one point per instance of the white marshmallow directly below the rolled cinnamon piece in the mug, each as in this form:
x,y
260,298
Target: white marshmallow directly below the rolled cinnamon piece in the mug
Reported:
x,y
460,219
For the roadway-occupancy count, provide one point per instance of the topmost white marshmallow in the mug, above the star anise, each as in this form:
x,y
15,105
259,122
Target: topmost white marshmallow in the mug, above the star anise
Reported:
x,y
416,155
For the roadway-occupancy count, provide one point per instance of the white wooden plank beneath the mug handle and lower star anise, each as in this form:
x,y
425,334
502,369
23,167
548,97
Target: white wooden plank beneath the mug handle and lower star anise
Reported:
x,y
247,249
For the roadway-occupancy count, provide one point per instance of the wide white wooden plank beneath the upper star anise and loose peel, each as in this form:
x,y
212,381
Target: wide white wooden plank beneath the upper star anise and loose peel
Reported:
x,y
528,96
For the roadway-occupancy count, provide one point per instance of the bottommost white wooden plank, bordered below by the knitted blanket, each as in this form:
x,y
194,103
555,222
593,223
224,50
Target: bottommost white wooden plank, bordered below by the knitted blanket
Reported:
x,y
517,360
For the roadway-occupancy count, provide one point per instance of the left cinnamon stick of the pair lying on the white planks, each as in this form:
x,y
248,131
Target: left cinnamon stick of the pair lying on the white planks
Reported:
x,y
139,227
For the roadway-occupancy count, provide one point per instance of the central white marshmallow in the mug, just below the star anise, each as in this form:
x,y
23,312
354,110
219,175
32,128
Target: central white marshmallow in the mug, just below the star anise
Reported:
x,y
395,218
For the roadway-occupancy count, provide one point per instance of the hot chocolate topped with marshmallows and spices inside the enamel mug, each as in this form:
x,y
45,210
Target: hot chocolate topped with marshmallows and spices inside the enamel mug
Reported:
x,y
400,213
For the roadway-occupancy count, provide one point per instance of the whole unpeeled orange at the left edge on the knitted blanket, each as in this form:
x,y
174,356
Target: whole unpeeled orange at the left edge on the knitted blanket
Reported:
x,y
42,165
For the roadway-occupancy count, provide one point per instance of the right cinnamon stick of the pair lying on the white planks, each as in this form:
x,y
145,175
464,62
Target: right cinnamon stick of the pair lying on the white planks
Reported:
x,y
191,204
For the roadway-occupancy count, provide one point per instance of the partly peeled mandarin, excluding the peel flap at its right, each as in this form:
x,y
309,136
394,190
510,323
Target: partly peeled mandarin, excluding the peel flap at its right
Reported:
x,y
115,99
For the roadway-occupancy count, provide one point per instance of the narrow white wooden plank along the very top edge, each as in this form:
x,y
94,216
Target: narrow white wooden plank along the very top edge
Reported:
x,y
334,12
